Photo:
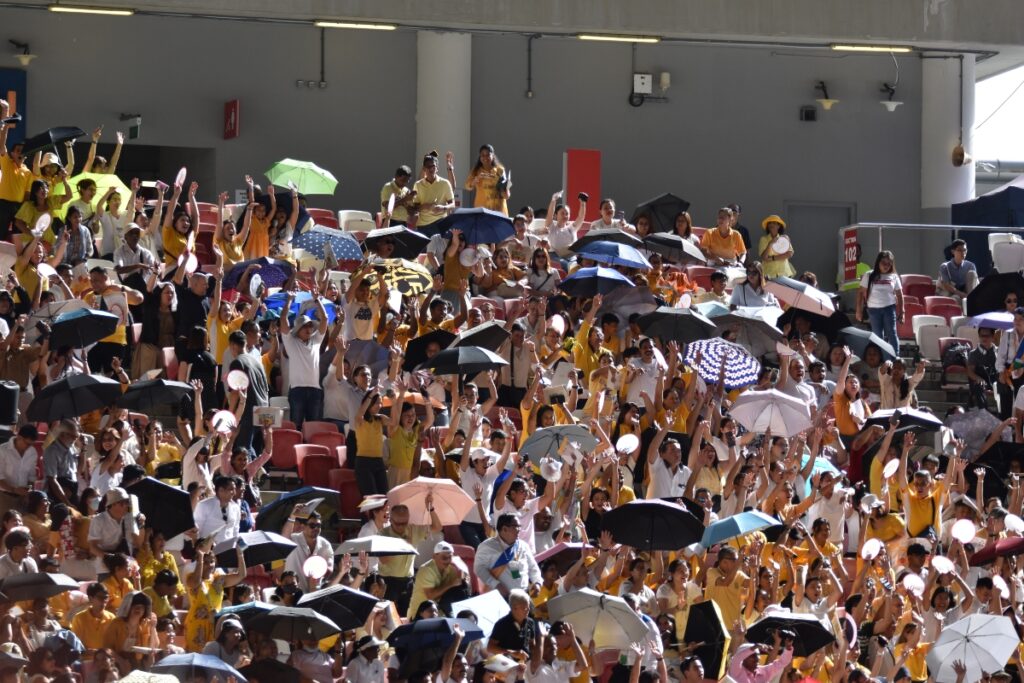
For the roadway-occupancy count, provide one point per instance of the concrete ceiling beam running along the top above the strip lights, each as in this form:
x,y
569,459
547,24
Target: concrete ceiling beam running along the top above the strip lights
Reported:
x,y
982,26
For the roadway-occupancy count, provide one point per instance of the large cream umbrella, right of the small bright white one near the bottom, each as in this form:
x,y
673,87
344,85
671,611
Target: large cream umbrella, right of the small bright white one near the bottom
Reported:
x,y
607,620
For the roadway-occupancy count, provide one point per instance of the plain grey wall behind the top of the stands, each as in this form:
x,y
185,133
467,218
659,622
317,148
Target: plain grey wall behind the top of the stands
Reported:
x,y
730,133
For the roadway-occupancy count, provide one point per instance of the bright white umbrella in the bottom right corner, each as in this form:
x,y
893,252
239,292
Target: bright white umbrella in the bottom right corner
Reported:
x,y
984,643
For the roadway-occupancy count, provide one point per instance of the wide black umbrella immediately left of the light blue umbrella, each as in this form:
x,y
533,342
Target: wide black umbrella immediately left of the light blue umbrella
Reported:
x,y
653,526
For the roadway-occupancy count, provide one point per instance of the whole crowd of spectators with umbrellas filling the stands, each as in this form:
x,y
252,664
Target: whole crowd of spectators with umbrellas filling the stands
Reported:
x,y
838,532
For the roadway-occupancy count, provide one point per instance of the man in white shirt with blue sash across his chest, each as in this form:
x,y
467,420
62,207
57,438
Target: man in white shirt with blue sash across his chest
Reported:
x,y
504,563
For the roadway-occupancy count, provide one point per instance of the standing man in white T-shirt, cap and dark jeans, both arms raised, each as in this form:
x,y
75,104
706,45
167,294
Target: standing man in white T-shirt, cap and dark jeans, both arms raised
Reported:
x,y
302,344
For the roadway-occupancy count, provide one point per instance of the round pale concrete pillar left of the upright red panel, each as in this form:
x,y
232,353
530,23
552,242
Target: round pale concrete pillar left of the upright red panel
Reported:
x,y
444,100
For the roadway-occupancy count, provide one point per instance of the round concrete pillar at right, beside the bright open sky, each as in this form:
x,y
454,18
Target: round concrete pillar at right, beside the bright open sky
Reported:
x,y
942,183
